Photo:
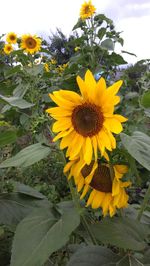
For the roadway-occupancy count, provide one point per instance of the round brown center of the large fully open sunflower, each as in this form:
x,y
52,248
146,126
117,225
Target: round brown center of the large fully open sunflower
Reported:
x,y
87,119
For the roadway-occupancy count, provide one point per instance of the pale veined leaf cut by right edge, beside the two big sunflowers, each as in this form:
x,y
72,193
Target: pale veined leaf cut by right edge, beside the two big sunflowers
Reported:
x,y
138,145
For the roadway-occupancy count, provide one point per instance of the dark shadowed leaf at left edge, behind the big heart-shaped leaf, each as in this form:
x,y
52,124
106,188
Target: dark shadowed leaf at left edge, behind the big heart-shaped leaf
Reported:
x,y
15,206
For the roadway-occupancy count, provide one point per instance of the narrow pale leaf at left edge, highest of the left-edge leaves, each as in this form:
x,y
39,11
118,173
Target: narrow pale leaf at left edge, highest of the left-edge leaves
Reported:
x,y
17,102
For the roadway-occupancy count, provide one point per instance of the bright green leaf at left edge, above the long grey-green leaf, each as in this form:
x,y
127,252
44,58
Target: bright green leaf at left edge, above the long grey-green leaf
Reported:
x,y
7,137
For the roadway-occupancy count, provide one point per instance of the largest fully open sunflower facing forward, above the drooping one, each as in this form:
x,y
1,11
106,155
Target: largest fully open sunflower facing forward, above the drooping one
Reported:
x,y
86,122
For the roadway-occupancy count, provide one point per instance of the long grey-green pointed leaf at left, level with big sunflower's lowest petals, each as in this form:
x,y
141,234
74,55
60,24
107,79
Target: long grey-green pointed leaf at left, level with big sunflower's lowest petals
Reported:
x,y
27,156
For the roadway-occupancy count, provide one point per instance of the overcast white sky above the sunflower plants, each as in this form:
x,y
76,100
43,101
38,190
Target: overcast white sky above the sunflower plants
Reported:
x,y
43,16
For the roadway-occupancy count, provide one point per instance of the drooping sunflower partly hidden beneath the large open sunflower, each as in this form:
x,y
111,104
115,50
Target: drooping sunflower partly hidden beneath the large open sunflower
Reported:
x,y
107,191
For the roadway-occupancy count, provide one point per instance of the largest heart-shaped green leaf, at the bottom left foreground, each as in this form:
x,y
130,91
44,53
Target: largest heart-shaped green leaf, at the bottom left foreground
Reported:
x,y
40,234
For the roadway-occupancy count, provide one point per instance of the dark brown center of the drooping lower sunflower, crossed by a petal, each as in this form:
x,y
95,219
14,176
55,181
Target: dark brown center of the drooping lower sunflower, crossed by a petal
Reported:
x,y
101,180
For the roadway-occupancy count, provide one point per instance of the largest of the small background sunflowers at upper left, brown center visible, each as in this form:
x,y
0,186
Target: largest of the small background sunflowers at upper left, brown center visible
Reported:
x,y
31,44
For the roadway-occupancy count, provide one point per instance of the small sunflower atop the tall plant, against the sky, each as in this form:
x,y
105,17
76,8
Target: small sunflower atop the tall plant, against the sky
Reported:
x,y
87,10
